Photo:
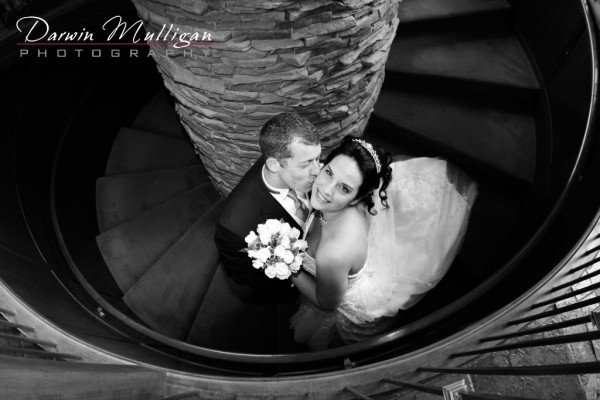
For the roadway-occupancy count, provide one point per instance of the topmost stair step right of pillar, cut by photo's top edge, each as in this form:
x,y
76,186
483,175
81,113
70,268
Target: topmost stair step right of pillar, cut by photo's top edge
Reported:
x,y
412,11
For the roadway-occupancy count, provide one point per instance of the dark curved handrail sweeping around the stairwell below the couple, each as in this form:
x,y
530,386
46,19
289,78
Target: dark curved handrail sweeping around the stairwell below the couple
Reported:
x,y
394,335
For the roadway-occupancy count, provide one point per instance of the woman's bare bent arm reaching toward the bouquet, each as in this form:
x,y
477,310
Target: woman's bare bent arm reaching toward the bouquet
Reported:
x,y
327,290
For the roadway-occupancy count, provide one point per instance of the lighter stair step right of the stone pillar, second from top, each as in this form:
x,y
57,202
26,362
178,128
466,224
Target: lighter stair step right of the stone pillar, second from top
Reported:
x,y
489,55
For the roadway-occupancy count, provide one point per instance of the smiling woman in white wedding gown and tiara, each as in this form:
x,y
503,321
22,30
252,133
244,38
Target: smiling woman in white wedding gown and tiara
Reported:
x,y
386,234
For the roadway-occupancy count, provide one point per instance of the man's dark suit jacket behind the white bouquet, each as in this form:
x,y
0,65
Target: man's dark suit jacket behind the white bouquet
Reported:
x,y
248,205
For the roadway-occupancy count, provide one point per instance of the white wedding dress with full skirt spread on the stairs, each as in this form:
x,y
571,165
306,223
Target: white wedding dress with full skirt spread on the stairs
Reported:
x,y
411,245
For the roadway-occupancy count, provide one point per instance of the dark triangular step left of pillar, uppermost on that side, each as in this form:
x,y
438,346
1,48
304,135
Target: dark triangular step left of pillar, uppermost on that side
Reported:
x,y
159,116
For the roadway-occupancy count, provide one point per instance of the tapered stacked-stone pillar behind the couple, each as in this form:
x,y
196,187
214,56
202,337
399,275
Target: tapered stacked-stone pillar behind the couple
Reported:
x,y
322,59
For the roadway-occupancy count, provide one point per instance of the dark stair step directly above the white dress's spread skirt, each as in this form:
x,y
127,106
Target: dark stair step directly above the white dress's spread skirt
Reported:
x,y
461,126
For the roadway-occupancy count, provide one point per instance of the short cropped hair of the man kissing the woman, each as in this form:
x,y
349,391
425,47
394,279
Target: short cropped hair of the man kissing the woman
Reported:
x,y
279,132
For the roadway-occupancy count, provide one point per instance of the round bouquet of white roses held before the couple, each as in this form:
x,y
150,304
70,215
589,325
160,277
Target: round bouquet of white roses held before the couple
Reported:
x,y
276,248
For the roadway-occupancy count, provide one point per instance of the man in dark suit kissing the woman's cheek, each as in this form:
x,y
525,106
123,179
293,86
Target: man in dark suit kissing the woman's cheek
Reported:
x,y
275,187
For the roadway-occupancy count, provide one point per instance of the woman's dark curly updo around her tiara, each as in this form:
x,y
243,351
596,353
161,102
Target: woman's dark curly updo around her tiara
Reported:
x,y
366,164
